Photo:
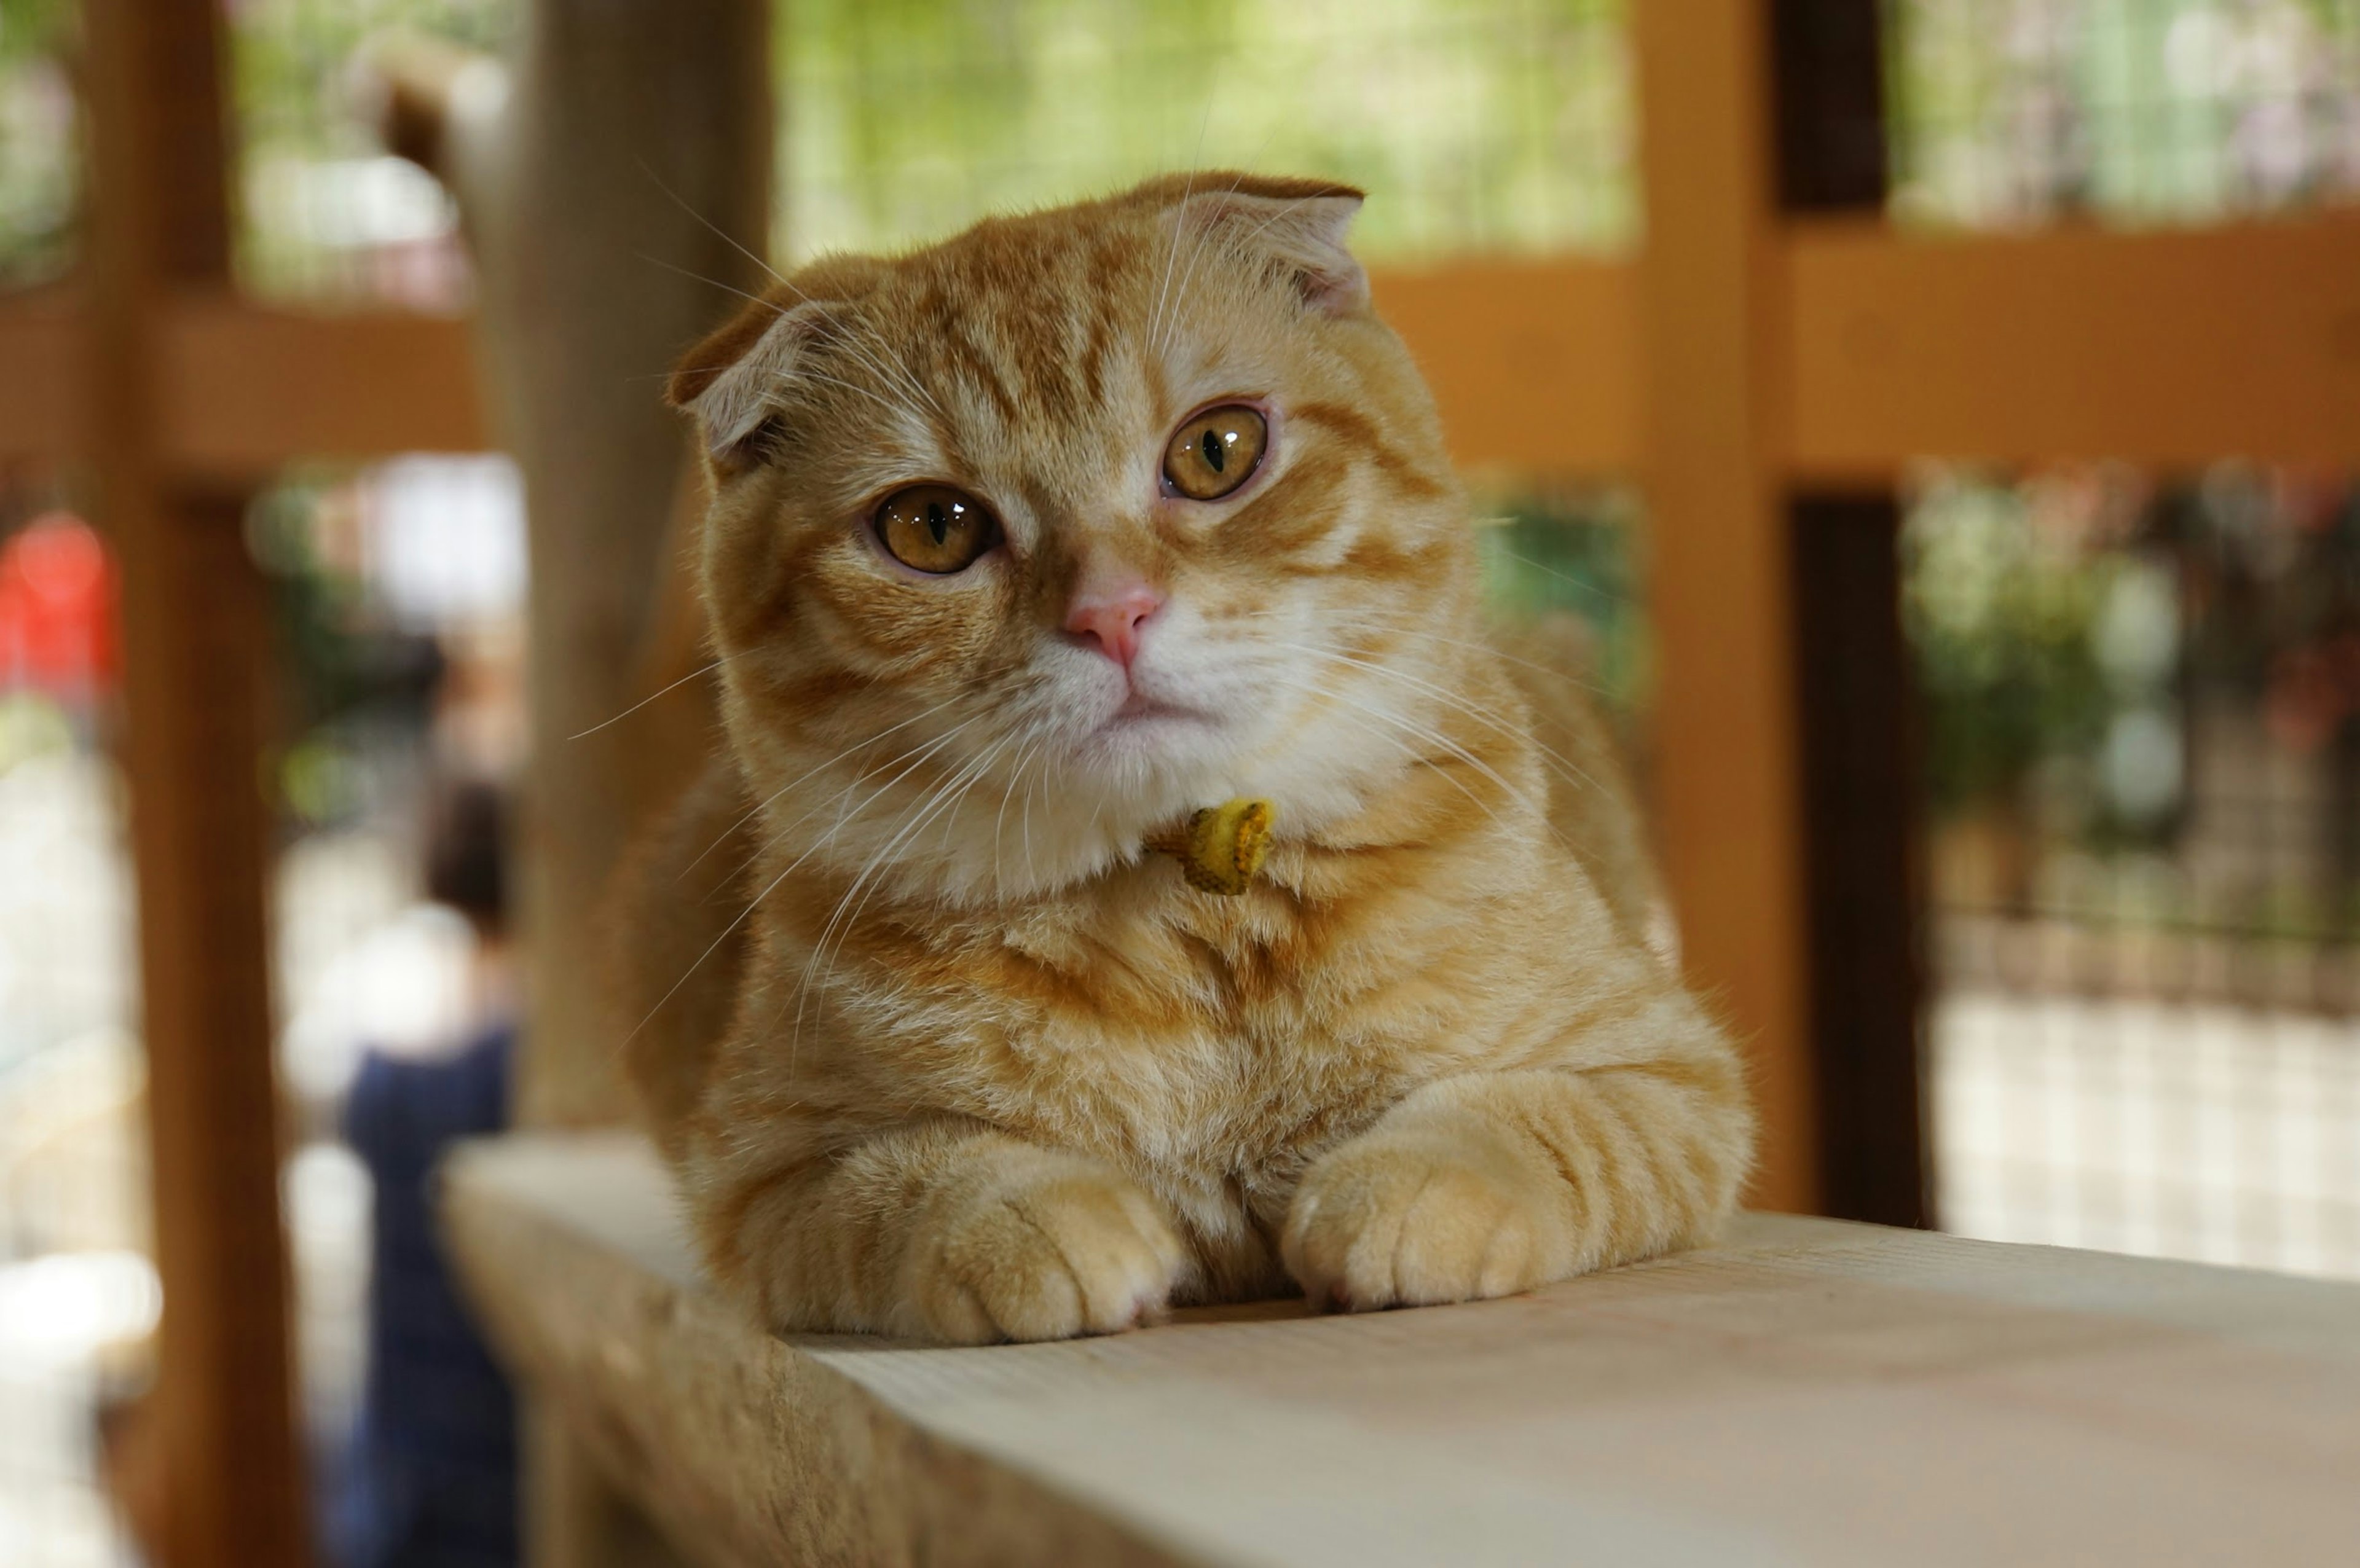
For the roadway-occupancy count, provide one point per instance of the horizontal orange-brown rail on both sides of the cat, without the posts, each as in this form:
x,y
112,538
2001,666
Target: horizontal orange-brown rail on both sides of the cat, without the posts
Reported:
x,y
2043,348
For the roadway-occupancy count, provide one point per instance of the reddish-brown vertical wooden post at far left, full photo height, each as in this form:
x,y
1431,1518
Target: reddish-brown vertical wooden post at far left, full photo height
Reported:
x,y
197,650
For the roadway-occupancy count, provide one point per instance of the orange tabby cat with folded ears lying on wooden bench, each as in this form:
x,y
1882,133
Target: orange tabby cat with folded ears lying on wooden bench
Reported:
x,y
1021,551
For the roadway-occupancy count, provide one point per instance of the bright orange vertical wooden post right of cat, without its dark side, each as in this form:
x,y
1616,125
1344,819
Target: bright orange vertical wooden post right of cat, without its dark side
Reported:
x,y
1724,612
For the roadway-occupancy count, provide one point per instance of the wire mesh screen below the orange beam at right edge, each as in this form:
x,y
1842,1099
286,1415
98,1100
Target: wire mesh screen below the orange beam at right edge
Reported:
x,y
2144,742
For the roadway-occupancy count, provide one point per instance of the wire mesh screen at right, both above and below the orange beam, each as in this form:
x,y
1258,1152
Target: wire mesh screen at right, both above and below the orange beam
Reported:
x,y
2139,699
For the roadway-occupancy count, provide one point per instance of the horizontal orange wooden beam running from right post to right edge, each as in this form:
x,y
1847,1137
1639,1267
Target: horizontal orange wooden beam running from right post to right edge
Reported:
x,y
2168,350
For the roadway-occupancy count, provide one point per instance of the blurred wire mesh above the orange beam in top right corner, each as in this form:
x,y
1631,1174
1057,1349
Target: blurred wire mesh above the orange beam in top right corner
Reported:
x,y
2017,112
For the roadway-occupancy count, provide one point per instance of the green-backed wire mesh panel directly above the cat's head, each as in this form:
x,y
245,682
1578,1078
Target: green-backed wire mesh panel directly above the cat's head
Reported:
x,y
1476,124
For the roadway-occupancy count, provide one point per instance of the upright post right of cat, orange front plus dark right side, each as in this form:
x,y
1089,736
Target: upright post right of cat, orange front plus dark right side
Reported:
x,y
1783,760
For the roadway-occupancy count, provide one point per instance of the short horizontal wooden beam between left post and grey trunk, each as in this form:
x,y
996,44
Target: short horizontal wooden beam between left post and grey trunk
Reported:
x,y
247,388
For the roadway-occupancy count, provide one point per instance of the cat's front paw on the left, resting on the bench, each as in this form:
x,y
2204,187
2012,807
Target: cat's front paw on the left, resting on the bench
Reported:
x,y
1058,1256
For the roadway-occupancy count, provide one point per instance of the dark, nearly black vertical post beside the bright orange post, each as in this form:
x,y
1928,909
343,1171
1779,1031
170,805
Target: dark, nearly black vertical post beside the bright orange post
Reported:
x,y
1856,690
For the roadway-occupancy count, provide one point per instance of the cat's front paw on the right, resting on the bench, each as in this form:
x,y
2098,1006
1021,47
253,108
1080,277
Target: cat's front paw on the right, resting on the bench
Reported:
x,y
1417,1223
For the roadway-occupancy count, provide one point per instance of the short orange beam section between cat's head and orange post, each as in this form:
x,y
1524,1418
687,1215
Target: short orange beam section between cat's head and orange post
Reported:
x,y
1533,364
